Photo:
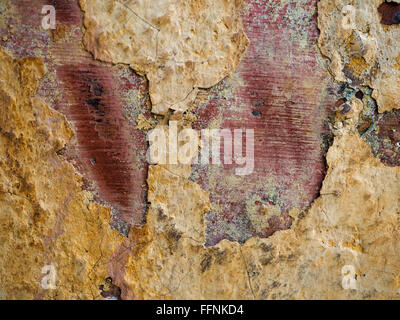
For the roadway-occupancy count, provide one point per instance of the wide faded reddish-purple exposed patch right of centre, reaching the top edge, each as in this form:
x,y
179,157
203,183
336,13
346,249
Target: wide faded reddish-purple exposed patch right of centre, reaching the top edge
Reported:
x,y
285,97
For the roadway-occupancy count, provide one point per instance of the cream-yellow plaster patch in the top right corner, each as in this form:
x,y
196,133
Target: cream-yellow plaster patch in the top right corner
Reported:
x,y
360,48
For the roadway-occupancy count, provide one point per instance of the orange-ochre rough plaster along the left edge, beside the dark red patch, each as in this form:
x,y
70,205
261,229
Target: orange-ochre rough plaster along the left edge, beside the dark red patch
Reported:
x,y
46,218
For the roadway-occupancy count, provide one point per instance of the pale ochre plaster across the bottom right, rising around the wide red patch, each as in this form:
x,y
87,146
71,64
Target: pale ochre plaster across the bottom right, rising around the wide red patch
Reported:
x,y
355,223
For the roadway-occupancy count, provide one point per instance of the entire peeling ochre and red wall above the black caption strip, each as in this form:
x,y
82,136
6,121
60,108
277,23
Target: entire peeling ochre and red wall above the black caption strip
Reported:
x,y
319,216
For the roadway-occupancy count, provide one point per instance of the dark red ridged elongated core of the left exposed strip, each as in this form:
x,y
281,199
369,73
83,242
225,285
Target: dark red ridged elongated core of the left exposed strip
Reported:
x,y
104,138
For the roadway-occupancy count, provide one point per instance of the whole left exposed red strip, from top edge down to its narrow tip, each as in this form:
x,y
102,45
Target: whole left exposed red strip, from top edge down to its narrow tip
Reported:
x,y
109,151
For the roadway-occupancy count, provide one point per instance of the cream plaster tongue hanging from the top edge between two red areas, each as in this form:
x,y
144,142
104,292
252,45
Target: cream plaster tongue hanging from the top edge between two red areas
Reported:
x,y
180,46
